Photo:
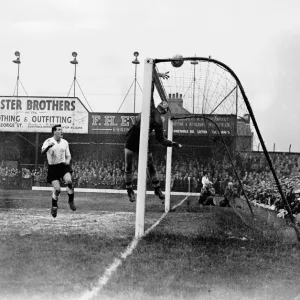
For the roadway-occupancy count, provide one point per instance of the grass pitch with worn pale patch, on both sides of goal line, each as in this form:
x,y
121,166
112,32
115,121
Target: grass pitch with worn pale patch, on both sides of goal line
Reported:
x,y
194,253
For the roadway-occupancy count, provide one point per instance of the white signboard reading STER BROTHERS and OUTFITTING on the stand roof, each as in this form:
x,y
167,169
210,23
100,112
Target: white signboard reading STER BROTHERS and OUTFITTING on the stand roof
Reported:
x,y
39,114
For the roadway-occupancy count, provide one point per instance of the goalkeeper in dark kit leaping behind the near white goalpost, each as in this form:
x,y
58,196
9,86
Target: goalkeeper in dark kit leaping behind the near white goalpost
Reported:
x,y
132,146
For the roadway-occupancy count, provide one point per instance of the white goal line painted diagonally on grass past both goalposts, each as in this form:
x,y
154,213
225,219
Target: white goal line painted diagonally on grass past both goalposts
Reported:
x,y
118,261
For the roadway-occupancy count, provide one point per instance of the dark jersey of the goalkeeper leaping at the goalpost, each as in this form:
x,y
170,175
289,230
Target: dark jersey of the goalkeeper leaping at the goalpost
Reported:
x,y
156,124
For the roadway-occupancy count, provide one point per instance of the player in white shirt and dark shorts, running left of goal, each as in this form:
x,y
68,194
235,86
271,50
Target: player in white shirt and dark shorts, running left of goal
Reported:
x,y
59,157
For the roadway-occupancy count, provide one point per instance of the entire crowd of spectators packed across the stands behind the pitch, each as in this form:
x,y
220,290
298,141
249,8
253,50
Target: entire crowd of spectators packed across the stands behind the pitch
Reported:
x,y
92,170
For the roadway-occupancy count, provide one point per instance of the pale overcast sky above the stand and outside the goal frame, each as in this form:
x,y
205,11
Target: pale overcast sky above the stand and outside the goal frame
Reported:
x,y
258,40
